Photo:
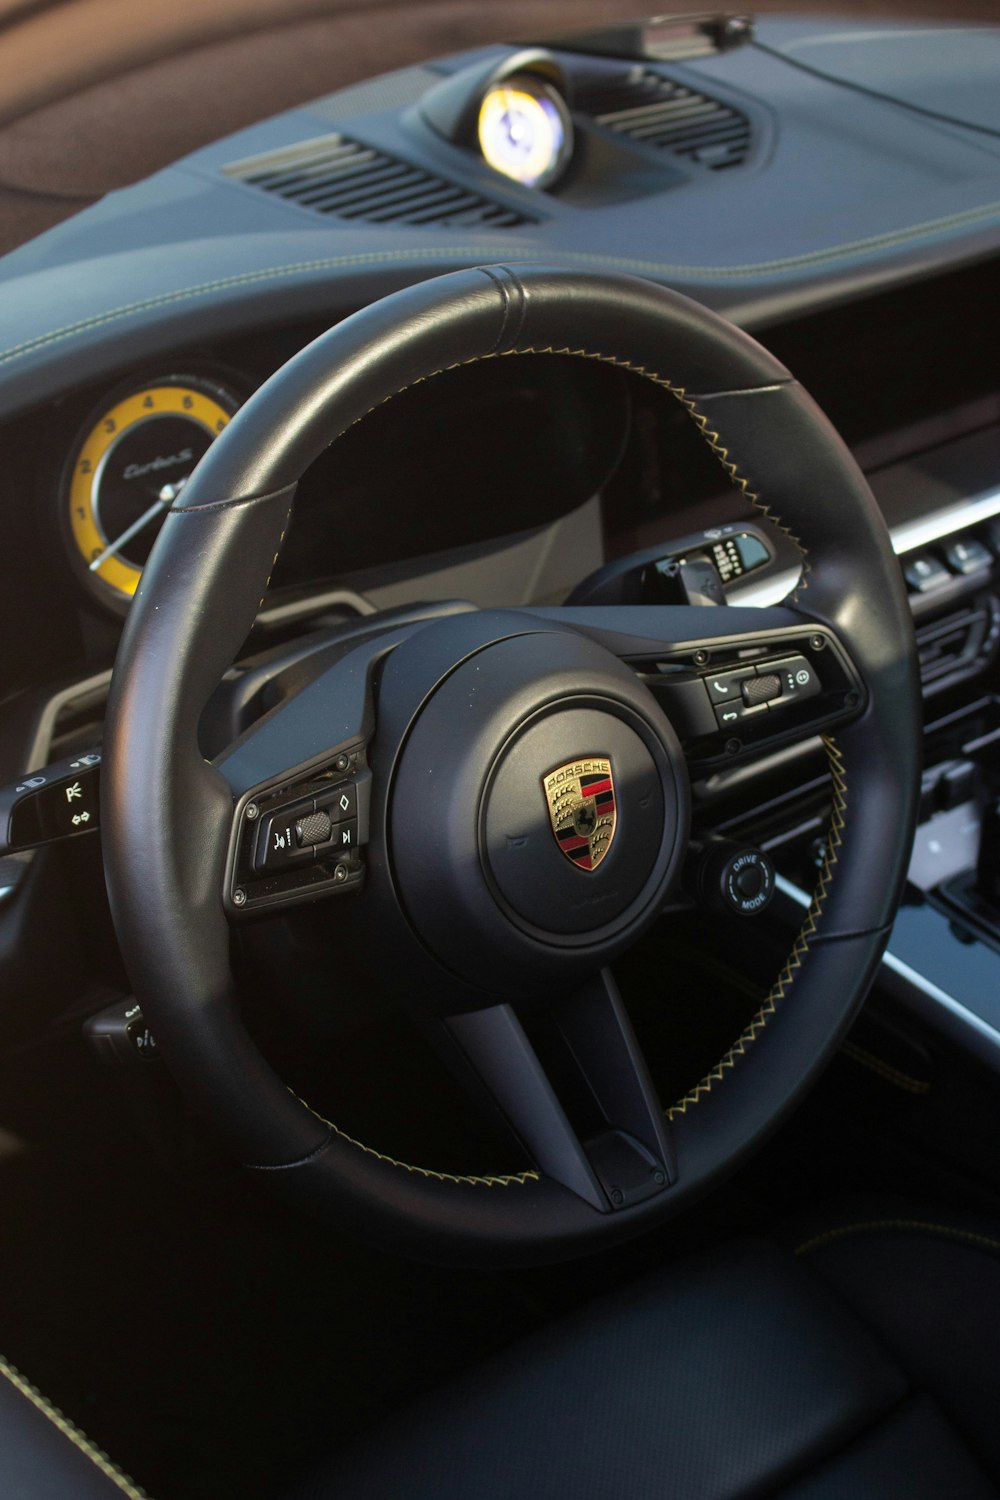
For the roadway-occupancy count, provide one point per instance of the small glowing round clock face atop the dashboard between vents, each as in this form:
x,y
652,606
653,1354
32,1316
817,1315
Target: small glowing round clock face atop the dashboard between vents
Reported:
x,y
525,131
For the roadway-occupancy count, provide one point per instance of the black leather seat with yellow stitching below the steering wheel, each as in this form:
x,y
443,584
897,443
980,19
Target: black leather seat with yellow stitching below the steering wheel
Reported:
x,y
866,1369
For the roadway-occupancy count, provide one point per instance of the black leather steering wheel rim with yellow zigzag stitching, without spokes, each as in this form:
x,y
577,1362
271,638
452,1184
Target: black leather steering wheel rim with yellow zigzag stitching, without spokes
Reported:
x,y
167,817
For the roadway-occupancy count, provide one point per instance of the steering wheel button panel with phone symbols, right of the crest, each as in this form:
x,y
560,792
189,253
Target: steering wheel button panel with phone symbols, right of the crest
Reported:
x,y
728,700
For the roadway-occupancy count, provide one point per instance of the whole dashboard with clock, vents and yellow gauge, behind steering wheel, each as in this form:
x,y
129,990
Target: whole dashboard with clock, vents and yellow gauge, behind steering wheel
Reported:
x,y
836,191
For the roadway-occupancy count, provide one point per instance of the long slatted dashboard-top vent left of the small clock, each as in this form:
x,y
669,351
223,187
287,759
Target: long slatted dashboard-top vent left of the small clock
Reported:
x,y
350,181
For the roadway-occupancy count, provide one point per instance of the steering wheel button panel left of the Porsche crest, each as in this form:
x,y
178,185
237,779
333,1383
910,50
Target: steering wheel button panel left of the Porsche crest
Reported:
x,y
301,838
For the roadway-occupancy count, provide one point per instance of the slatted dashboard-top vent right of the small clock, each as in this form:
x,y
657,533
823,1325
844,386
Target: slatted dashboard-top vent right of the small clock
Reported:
x,y
656,112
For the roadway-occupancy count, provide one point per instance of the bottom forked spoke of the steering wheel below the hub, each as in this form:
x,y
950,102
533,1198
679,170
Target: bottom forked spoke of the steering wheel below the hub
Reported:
x,y
588,1117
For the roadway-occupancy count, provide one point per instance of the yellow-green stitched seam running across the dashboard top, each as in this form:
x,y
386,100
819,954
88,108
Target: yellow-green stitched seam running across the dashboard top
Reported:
x,y
968,217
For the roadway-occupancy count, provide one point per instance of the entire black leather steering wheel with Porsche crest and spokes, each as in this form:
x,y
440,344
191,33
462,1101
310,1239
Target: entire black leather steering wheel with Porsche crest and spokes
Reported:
x,y
503,796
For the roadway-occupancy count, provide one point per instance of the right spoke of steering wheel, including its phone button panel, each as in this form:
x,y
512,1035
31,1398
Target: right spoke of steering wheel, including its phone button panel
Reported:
x,y
735,683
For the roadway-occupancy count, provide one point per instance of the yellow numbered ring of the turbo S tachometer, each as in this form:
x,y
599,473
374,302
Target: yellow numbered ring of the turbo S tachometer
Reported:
x,y
208,401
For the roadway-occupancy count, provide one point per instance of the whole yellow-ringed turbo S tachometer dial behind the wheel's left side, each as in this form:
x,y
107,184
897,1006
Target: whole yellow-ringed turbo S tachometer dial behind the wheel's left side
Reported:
x,y
128,466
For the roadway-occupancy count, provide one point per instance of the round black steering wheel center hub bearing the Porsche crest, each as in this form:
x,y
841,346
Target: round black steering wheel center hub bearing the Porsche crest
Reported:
x,y
539,812
